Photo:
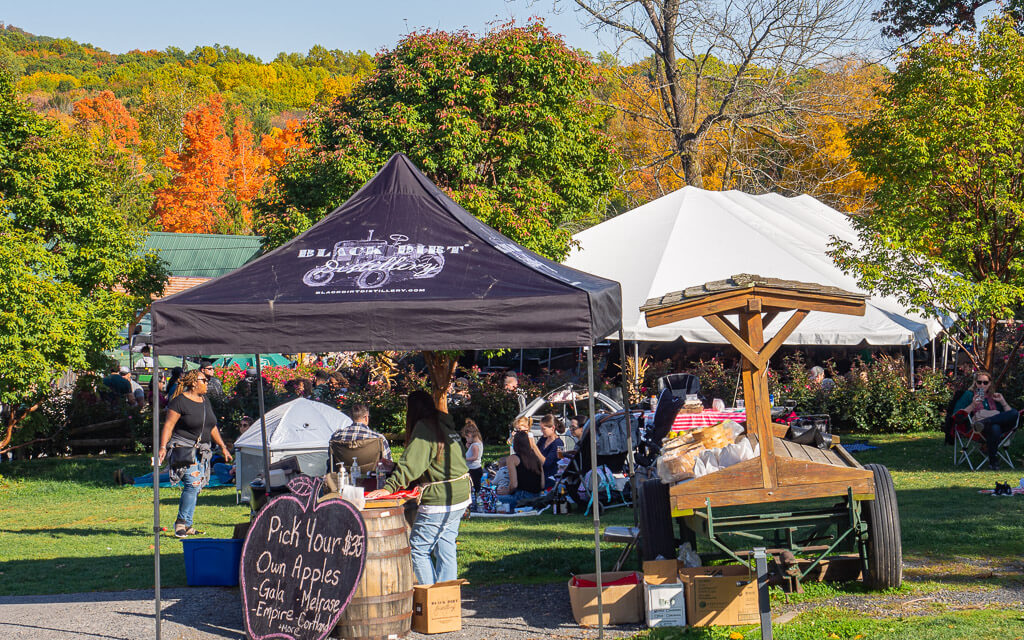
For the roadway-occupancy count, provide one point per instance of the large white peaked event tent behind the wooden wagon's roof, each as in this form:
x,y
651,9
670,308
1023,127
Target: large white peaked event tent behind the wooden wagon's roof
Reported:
x,y
694,236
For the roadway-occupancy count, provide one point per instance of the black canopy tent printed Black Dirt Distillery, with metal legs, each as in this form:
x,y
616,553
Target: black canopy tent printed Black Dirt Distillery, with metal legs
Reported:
x,y
399,267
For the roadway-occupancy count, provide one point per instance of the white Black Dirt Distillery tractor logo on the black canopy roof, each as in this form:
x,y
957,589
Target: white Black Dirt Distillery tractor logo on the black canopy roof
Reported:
x,y
373,264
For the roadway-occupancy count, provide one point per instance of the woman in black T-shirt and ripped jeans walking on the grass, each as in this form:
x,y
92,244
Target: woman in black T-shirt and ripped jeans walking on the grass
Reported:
x,y
191,422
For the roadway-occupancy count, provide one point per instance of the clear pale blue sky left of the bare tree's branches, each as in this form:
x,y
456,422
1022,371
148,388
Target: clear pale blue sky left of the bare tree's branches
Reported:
x,y
268,28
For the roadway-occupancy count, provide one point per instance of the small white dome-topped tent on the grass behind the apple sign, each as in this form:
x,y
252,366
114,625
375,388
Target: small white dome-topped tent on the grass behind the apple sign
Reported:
x,y
301,428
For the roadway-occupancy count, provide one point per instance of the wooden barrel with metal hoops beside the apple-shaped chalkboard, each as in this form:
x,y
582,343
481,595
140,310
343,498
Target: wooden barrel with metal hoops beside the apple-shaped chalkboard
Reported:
x,y
382,606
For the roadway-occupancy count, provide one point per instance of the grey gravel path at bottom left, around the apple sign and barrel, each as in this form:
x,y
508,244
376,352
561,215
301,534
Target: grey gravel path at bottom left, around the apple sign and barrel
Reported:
x,y
500,613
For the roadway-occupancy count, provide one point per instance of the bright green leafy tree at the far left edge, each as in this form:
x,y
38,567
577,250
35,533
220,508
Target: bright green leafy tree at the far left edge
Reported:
x,y
73,275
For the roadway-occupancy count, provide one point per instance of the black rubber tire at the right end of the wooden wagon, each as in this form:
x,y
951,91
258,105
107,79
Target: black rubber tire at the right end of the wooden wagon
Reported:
x,y
885,544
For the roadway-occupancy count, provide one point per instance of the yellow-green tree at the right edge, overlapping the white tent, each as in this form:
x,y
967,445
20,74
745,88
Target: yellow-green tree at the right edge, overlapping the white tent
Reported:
x,y
947,146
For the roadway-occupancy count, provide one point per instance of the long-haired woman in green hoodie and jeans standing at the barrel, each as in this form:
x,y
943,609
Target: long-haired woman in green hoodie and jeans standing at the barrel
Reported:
x,y
436,462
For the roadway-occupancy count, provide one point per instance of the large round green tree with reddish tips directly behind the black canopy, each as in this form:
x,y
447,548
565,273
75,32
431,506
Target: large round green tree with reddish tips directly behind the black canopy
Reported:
x,y
505,124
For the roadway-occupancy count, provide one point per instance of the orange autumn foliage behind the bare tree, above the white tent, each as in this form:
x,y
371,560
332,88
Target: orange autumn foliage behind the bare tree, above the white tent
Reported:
x,y
803,151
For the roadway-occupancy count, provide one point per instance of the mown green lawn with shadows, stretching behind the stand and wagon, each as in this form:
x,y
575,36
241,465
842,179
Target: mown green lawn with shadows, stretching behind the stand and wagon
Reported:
x,y
65,528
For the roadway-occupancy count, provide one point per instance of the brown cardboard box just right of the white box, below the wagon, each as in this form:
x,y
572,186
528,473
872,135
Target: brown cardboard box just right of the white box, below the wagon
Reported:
x,y
721,595
